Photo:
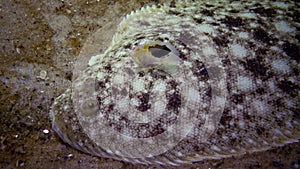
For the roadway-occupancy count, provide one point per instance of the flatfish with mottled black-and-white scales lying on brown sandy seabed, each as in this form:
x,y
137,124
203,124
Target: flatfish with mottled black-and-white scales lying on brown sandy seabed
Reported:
x,y
187,81
